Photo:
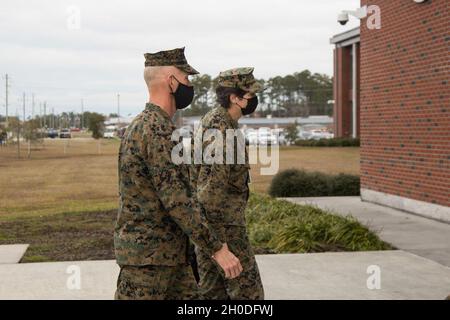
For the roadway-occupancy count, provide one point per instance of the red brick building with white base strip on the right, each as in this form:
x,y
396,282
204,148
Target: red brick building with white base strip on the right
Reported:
x,y
400,105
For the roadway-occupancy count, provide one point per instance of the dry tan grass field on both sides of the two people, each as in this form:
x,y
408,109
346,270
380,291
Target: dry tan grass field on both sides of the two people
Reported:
x,y
81,180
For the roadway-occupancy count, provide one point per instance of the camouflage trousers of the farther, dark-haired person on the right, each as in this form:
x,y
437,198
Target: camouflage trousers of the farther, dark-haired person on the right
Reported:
x,y
214,285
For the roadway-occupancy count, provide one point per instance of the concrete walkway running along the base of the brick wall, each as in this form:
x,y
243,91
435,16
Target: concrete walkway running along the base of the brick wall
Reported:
x,y
424,237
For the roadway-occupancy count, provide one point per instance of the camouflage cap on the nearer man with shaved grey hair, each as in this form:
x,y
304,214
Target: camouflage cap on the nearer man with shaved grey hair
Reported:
x,y
174,57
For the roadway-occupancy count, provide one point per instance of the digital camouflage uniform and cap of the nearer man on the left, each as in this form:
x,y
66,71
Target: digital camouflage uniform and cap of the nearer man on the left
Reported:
x,y
157,213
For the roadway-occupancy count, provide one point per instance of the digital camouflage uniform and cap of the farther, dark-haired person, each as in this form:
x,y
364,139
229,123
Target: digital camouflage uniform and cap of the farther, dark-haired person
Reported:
x,y
222,190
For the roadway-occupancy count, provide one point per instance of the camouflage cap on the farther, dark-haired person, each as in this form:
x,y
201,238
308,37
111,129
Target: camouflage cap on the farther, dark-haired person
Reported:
x,y
241,78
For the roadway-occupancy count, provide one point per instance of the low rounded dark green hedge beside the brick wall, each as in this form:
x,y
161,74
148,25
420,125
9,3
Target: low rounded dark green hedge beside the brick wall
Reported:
x,y
300,183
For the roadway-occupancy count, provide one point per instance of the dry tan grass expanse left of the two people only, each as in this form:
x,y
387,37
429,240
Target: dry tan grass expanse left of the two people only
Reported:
x,y
51,181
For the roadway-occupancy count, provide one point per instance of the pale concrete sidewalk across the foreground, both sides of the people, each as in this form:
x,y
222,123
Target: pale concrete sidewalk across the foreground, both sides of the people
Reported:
x,y
288,276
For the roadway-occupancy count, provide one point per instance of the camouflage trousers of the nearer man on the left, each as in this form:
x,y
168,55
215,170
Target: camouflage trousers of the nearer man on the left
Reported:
x,y
156,283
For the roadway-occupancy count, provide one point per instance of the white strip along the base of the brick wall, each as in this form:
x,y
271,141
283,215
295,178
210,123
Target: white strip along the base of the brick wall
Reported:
x,y
422,208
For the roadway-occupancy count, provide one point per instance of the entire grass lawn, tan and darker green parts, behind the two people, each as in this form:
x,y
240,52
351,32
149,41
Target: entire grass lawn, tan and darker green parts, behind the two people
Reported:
x,y
63,199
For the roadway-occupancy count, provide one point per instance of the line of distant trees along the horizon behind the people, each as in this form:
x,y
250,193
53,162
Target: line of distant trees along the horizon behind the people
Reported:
x,y
298,94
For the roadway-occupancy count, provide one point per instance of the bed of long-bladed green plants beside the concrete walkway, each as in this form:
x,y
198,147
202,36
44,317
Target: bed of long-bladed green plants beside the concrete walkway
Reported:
x,y
277,226
